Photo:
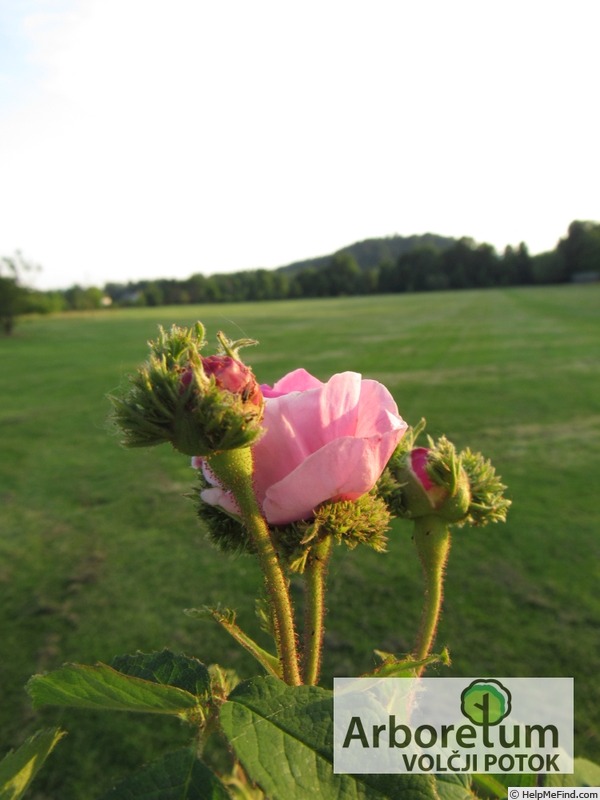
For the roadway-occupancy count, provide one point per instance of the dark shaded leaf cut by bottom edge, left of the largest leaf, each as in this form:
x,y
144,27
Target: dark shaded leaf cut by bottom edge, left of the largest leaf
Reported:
x,y
175,776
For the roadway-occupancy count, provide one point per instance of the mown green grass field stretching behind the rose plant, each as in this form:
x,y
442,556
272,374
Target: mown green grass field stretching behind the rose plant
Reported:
x,y
100,551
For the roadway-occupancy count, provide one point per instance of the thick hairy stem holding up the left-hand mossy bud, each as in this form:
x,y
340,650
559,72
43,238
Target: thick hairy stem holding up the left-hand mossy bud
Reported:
x,y
233,468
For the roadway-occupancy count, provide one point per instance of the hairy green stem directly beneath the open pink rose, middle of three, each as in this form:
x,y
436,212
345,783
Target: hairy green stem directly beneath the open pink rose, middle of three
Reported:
x,y
314,609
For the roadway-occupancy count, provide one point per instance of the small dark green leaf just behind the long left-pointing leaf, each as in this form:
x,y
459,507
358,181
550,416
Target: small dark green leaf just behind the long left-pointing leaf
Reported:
x,y
166,668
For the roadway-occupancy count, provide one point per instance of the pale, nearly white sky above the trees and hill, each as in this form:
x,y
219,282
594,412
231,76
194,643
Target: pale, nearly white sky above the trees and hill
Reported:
x,y
161,138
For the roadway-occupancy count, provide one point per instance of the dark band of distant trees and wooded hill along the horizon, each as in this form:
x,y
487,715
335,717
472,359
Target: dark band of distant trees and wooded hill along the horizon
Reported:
x,y
375,266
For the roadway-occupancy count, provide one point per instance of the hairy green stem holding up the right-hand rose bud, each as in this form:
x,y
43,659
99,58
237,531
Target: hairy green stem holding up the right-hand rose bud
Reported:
x,y
432,539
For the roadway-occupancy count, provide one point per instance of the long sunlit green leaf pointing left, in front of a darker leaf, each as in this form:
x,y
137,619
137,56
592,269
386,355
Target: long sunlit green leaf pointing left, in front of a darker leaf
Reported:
x,y
102,687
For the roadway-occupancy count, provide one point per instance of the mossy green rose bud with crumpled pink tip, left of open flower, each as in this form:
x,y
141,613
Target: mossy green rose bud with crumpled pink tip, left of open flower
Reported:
x,y
200,404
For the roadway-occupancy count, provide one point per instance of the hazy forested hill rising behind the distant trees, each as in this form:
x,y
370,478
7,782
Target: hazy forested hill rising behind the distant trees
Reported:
x,y
371,253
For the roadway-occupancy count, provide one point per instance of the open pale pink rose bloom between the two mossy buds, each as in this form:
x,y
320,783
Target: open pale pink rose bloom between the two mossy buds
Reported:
x,y
322,442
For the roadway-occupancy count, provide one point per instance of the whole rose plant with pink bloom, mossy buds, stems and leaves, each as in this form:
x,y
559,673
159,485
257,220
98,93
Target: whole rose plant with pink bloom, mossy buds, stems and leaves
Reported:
x,y
285,472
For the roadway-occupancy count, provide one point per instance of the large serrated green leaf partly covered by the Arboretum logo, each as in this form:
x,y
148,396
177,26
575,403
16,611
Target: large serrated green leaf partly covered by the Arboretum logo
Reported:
x,y
283,735
